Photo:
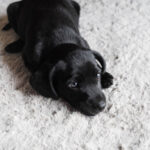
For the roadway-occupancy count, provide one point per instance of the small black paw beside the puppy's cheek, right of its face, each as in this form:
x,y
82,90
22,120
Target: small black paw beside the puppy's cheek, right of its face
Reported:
x,y
107,80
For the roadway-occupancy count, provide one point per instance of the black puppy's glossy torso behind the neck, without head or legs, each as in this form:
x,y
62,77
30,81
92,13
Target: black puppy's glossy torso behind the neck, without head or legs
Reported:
x,y
43,25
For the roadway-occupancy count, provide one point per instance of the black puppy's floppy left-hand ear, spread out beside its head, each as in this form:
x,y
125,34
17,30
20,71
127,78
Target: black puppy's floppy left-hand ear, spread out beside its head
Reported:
x,y
42,80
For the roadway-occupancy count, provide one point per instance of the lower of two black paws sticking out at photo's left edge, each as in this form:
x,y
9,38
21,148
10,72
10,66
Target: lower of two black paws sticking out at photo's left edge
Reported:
x,y
15,47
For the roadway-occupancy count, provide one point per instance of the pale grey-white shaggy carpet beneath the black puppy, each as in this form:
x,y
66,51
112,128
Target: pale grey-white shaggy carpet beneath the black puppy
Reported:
x,y
120,31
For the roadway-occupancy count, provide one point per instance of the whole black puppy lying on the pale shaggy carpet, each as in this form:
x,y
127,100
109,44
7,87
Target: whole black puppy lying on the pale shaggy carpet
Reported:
x,y
60,60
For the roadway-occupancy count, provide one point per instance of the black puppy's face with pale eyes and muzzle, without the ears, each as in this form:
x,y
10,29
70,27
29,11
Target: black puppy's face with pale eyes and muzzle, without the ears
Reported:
x,y
78,81
